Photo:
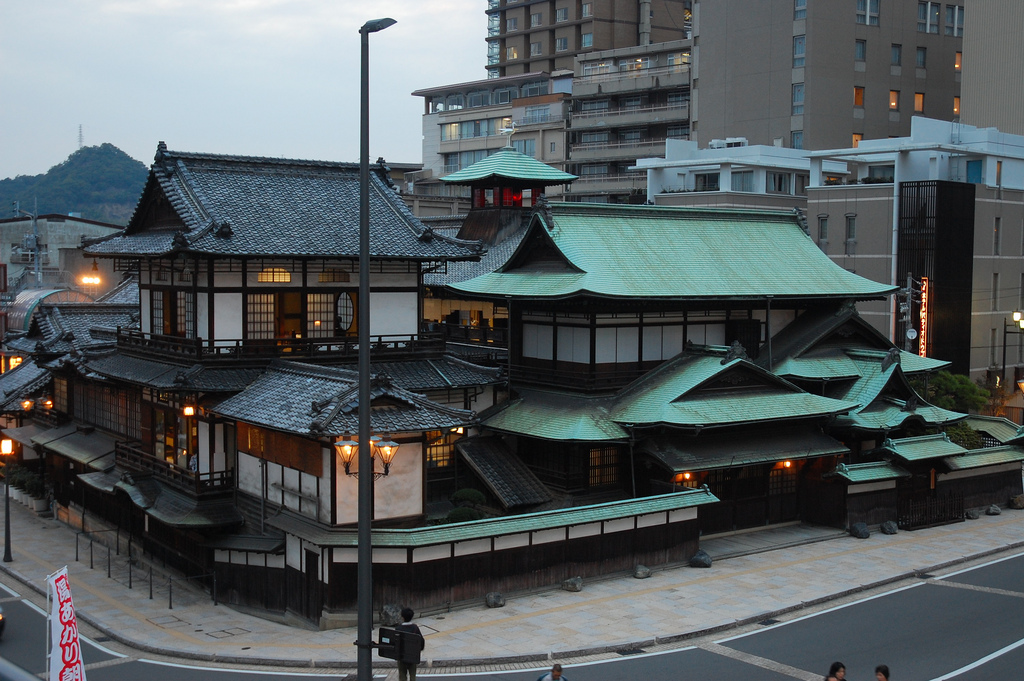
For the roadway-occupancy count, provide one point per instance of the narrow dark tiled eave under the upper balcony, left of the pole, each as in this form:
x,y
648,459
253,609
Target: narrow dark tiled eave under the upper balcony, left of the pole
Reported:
x,y
143,371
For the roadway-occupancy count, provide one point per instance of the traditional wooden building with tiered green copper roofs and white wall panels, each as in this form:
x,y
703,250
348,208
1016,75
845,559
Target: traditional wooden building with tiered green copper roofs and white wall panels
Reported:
x,y
656,349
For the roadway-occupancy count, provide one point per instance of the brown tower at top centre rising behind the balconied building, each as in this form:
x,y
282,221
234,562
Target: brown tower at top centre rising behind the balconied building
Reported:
x,y
527,36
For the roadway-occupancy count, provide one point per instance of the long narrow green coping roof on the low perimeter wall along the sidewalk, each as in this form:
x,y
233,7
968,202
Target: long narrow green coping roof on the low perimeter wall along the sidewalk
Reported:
x,y
514,525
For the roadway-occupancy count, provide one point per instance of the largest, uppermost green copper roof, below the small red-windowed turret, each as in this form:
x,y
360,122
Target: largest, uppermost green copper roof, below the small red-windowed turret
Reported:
x,y
669,252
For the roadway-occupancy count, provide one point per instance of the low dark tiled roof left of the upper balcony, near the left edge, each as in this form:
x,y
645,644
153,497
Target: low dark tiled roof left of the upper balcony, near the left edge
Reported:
x,y
62,328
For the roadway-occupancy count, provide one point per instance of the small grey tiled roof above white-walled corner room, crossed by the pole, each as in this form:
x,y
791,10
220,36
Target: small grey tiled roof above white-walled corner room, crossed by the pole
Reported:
x,y
320,401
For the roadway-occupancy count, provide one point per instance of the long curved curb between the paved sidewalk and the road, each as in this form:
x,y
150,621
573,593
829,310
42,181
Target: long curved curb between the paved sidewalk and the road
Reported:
x,y
632,646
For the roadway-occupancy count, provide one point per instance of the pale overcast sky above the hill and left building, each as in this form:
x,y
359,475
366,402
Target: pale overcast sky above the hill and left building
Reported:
x,y
276,78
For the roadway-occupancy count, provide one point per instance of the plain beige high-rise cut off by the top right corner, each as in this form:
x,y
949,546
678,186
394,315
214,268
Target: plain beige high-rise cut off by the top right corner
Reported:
x,y
994,66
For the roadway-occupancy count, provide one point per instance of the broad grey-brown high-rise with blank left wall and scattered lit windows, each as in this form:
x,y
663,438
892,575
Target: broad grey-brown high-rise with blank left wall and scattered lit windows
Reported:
x,y
824,74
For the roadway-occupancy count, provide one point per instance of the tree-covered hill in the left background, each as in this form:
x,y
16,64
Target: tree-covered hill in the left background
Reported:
x,y
100,183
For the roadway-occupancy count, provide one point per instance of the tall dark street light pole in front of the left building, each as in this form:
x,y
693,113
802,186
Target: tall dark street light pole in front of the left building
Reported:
x,y
365,588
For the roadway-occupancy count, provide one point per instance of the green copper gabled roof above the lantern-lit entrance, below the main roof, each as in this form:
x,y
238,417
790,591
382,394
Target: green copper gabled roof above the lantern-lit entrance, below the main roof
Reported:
x,y
672,395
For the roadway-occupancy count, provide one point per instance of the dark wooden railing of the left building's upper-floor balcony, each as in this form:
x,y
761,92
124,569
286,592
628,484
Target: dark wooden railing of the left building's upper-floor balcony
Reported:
x,y
394,348
